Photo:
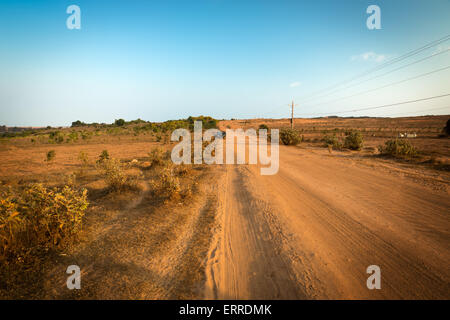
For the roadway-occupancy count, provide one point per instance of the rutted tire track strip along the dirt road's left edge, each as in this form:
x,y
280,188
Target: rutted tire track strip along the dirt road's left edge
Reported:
x,y
248,258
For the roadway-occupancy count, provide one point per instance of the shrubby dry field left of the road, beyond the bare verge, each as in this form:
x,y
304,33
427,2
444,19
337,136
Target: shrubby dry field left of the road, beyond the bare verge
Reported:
x,y
42,215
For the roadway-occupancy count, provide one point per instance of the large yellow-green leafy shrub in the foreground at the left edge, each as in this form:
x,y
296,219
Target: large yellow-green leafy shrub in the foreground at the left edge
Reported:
x,y
37,216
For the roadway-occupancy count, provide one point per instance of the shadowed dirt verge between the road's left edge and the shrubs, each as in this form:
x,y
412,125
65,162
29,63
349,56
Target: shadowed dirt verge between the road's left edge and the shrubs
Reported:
x,y
144,252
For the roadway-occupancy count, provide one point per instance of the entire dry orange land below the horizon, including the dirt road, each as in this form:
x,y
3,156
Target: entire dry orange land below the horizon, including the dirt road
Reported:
x,y
109,199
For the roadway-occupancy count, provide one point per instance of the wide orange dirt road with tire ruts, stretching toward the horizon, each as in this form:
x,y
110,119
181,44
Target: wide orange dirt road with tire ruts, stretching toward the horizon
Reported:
x,y
311,230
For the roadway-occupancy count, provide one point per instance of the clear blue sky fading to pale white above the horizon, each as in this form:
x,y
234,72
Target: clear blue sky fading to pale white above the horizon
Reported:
x,y
159,60
